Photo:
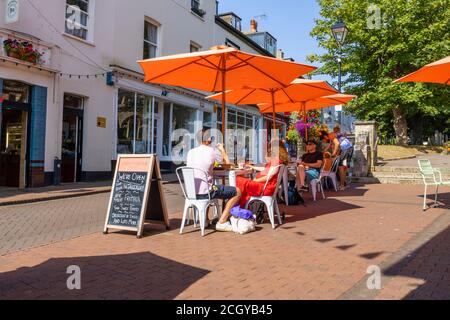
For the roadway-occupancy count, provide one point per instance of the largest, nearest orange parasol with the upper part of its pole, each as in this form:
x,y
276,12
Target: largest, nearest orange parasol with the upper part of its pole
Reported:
x,y
220,69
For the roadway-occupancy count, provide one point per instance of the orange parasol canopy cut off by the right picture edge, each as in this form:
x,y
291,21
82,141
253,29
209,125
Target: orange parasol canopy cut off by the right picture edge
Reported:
x,y
436,72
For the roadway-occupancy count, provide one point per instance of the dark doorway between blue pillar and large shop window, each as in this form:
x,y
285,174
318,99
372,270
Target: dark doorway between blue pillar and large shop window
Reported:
x,y
72,139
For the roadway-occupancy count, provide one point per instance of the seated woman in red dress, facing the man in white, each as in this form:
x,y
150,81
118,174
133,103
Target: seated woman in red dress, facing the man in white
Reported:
x,y
277,154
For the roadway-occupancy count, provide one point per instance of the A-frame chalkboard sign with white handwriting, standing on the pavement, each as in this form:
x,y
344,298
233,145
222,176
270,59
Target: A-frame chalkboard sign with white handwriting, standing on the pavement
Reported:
x,y
137,195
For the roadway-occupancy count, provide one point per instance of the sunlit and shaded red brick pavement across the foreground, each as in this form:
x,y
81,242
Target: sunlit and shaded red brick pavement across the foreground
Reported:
x,y
322,252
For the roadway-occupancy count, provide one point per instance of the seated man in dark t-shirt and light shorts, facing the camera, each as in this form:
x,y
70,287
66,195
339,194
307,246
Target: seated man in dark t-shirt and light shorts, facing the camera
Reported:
x,y
310,165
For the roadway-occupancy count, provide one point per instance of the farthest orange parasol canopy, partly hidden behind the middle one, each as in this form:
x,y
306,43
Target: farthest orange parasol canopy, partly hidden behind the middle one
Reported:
x,y
314,104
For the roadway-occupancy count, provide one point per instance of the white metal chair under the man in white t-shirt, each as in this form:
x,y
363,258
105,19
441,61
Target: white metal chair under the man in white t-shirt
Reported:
x,y
191,201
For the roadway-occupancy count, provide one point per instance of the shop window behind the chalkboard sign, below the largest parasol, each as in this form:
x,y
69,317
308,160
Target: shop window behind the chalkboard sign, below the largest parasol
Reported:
x,y
146,124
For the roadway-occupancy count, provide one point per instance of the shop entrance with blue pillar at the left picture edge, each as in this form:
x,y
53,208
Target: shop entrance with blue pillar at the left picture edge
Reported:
x,y
22,138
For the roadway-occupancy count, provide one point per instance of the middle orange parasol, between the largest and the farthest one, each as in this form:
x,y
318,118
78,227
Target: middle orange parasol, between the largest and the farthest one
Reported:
x,y
298,90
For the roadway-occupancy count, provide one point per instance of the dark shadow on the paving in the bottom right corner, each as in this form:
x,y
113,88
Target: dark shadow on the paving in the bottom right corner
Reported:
x,y
430,263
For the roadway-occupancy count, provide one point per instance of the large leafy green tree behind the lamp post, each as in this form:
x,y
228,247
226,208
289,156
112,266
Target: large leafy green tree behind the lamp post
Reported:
x,y
388,39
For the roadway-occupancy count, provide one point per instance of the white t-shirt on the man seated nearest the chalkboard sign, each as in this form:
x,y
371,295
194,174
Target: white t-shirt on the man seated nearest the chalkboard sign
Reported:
x,y
202,157
